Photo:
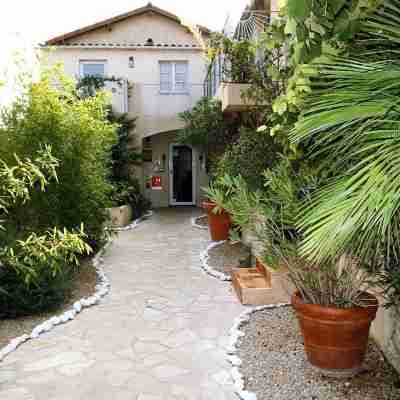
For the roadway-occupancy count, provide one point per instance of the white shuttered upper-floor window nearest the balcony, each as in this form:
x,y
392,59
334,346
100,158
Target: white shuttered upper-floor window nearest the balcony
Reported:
x,y
173,76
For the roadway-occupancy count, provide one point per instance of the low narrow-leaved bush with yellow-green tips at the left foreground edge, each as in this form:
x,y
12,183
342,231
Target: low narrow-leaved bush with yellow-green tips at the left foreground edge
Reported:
x,y
36,270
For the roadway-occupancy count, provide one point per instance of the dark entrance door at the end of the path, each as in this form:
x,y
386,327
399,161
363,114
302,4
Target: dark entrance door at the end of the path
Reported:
x,y
182,175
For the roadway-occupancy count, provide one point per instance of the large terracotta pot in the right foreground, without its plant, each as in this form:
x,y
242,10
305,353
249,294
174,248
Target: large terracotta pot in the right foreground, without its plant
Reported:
x,y
335,339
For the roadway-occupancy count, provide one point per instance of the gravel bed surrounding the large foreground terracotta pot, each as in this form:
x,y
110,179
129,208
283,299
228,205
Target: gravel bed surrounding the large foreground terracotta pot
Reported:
x,y
275,367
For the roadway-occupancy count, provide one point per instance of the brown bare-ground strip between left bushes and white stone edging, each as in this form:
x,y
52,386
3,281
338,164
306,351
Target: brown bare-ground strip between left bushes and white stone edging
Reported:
x,y
84,286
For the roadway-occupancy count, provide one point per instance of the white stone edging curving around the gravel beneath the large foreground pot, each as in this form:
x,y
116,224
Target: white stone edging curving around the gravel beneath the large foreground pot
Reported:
x,y
234,360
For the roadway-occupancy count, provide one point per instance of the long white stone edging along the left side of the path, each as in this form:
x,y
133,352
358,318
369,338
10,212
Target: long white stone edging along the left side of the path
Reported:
x,y
102,289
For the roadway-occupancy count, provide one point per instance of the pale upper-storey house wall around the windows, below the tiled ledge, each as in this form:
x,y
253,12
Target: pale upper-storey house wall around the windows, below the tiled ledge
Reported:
x,y
155,112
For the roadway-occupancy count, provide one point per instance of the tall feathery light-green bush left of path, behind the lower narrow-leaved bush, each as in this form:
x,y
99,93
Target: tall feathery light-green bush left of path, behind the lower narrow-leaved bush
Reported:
x,y
81,138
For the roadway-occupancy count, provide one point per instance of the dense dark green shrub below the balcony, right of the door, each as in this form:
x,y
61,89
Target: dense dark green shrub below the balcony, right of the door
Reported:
x,y
249,156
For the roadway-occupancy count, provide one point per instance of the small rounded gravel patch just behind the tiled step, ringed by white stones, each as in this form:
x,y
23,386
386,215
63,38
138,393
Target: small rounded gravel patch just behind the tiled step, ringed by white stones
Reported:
x,y
226,256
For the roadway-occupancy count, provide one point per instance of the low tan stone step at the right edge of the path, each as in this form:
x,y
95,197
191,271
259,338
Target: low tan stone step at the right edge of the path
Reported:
x,y
253,288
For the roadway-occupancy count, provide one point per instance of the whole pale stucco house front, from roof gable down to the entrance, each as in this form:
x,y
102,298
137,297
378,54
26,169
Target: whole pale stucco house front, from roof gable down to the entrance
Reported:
x,y
155,113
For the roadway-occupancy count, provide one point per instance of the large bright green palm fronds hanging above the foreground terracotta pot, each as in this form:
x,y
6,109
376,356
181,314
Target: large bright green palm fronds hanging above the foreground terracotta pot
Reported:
x,y
358,120
